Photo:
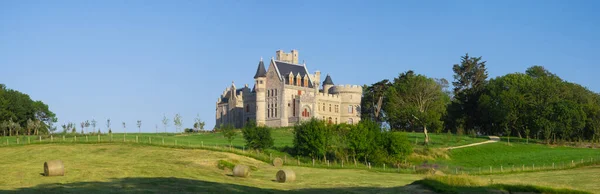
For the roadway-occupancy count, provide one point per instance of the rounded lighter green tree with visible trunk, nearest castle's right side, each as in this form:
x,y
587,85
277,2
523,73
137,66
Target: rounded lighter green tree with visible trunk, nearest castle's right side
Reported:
x,y
415,100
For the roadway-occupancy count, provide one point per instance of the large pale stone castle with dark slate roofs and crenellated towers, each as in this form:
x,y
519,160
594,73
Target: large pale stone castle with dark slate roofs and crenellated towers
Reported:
x,y
286,94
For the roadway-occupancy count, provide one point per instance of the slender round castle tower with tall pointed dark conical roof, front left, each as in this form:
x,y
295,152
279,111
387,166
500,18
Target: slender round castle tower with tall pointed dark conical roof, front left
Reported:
x,y
260,84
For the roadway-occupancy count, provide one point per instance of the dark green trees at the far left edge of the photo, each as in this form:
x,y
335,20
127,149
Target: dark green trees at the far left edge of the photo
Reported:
x,y
20,108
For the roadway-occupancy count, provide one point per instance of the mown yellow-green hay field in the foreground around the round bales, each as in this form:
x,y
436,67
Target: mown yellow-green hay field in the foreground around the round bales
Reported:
x,y
131,168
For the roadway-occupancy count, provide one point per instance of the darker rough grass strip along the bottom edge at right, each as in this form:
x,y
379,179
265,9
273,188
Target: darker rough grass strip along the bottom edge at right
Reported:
x,y
466,184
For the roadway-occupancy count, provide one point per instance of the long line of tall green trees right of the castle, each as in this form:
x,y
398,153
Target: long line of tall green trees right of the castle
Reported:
x,y
536,103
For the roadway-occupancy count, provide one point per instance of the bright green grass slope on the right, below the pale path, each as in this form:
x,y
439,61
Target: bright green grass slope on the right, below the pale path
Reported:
x,y
518,154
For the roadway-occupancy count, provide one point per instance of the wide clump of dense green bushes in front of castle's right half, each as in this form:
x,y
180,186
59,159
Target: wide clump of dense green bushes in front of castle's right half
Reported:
x,y
365,141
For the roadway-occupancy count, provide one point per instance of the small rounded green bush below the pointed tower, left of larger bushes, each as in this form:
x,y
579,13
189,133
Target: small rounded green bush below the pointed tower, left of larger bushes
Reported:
x,y
257,137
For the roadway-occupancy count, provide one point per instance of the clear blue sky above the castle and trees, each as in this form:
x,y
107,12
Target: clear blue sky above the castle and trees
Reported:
x,y
140,60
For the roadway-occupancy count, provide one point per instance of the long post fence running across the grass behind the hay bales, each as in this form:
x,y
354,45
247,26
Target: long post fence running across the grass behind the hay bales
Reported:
x,y
288,160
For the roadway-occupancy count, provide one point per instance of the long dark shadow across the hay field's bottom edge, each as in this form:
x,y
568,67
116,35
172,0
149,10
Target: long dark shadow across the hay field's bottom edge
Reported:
x,y
179,185
